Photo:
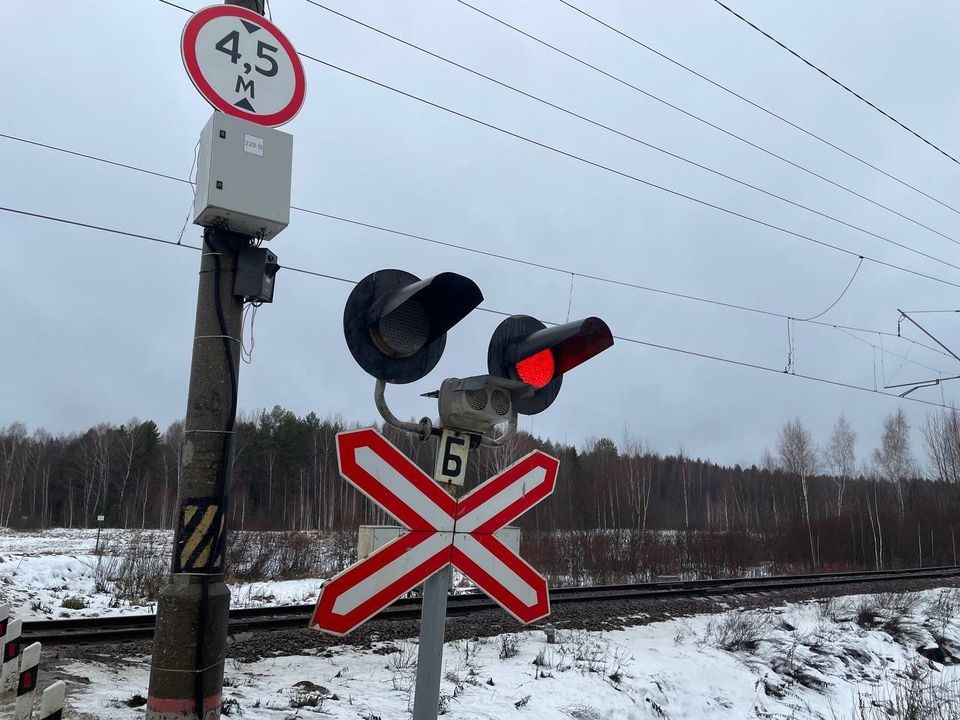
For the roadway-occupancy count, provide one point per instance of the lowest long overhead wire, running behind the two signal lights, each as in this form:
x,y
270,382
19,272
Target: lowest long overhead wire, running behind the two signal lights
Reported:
x,y
623,338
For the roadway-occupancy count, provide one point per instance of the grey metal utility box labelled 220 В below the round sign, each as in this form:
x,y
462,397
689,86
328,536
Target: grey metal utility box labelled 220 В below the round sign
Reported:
x,y
243,177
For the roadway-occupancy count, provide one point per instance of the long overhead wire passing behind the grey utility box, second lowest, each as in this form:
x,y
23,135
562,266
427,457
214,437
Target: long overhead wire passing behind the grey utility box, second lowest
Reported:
x,y
506,258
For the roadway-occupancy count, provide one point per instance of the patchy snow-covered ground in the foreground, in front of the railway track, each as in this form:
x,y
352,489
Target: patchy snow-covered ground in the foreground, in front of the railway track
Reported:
x,y
810,660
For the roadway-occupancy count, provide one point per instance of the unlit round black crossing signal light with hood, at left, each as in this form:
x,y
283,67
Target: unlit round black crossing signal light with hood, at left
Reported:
x,y
396,324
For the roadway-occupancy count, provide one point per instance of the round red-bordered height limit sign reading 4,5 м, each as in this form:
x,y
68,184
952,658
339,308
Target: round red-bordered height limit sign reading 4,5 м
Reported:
x,y
243,65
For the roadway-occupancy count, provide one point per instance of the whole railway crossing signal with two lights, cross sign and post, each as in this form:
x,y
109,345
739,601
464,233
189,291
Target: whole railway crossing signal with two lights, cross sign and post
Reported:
x,y
396,327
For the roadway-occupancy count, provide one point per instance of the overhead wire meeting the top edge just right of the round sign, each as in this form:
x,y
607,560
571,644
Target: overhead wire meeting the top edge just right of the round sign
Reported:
x,y
628,136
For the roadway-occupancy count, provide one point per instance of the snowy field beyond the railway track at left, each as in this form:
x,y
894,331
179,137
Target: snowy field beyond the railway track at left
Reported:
x,y
57,574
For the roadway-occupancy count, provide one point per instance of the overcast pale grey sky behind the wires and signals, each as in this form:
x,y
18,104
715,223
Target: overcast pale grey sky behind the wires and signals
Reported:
x,y
98,327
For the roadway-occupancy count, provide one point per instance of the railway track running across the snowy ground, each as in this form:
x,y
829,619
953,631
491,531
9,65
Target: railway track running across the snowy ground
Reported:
x,y
127,628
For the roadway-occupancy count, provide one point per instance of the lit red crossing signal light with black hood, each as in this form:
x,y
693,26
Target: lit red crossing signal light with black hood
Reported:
x,y
525,349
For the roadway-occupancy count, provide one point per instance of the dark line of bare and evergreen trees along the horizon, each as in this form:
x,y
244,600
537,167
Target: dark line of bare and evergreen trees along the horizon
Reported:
x,y
804,505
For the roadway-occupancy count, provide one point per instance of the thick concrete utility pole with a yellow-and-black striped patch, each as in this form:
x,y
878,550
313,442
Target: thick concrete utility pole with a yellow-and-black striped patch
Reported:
x,y
189,646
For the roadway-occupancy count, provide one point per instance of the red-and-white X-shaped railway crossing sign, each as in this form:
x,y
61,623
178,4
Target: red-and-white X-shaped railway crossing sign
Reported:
x,y
442,531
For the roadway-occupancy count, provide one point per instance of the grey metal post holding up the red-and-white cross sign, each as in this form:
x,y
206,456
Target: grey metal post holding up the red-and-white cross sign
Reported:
x,y
433,616
